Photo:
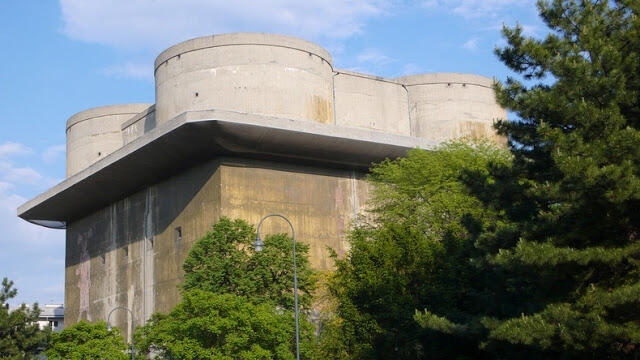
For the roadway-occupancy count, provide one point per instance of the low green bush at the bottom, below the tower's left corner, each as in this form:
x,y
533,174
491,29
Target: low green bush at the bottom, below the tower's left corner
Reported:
x,y
87,341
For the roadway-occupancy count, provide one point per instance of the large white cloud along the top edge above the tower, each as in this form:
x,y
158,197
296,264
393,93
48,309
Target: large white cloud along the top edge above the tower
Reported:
x,y
155,24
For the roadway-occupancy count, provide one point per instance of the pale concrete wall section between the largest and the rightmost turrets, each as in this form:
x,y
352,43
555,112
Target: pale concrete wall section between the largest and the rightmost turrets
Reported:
x,y
370,102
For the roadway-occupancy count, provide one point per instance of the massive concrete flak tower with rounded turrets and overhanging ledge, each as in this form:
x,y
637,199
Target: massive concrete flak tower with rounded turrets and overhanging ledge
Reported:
x,y
243,125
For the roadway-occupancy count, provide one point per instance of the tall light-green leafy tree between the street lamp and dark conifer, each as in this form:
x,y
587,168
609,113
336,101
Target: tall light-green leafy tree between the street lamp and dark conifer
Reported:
x,y
413,255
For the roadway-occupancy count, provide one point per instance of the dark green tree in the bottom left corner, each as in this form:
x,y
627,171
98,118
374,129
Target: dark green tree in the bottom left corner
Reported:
x,y
20,335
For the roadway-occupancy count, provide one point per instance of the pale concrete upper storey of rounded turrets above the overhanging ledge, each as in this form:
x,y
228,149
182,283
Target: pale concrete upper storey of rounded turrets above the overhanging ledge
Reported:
x,y
284,77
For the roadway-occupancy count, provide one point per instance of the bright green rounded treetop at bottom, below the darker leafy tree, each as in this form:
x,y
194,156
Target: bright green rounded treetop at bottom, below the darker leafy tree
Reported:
x,y
206,325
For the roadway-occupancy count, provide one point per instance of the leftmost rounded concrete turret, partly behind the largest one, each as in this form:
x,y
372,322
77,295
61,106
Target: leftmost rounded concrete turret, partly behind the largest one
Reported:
x,y
94,133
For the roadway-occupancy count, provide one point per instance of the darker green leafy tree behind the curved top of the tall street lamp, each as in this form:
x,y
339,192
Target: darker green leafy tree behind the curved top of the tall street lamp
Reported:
x,y
223,262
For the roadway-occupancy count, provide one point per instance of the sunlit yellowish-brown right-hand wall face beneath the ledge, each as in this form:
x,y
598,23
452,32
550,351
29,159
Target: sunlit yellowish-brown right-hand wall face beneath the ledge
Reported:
x,y
320,203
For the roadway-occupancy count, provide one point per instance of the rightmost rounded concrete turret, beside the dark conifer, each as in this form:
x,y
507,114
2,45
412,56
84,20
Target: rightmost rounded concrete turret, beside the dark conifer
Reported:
x,y
445,106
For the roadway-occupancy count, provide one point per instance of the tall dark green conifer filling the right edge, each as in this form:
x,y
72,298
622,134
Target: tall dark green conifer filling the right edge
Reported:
x,y
568,249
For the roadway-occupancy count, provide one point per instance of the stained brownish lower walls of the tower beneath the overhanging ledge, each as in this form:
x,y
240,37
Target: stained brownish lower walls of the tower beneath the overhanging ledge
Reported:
x,y
130,254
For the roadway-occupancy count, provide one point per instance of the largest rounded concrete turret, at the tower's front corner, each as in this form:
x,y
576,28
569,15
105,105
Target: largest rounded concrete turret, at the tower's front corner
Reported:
x,y
264,74
